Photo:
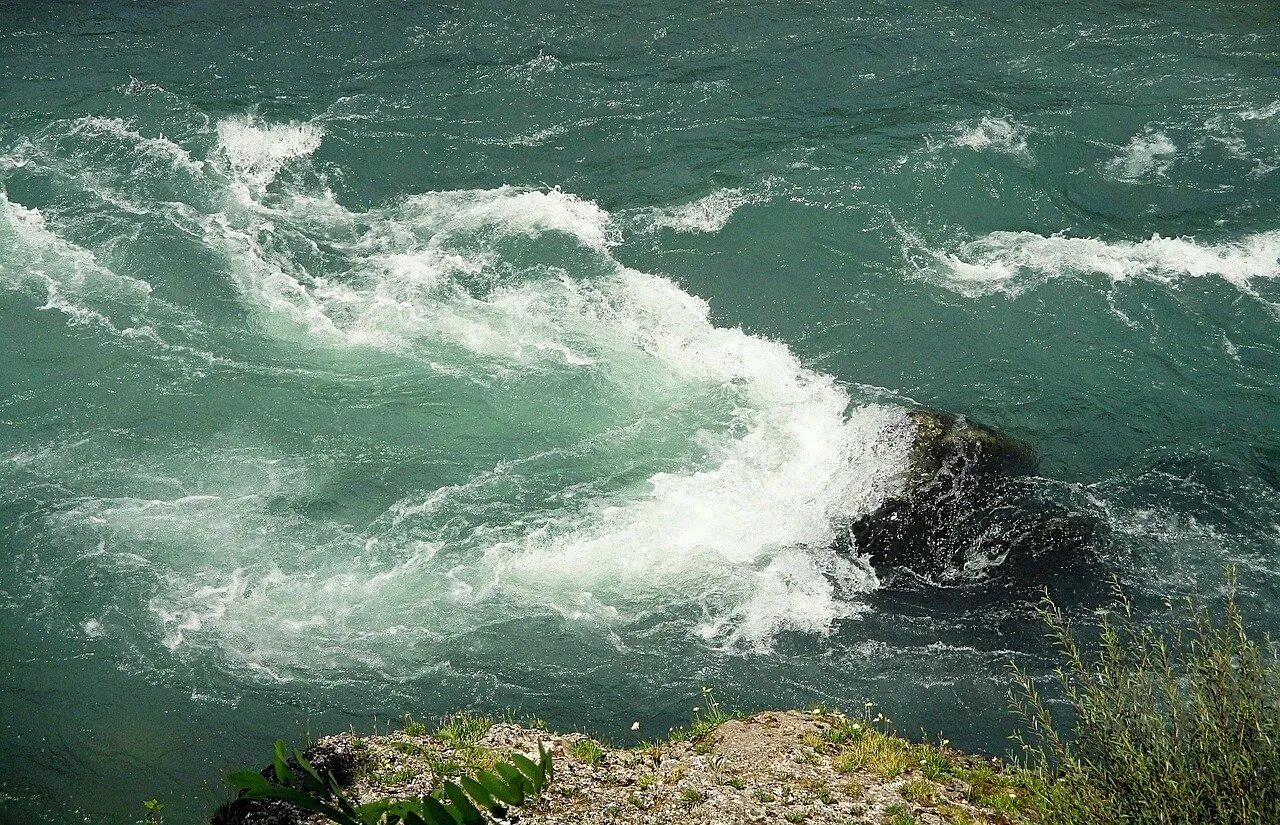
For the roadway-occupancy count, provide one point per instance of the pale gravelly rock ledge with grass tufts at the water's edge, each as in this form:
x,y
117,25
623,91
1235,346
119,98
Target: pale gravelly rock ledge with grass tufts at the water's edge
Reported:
x,y
774,767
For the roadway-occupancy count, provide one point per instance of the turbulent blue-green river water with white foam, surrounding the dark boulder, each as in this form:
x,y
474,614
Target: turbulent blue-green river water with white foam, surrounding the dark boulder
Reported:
x,y
369,359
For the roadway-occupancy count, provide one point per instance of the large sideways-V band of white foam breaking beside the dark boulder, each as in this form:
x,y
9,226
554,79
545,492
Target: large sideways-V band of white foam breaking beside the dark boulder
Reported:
x,y
743,538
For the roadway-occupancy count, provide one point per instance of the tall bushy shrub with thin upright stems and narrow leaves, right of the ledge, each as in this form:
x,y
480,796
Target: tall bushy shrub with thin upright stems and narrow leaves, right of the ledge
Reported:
x,y
1169,728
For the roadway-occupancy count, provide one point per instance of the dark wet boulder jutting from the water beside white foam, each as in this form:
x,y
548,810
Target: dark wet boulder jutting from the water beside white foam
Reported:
x,y
970,503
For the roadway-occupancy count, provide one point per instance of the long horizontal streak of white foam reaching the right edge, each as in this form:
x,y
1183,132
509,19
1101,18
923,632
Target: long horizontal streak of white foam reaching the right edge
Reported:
x,y
1016,262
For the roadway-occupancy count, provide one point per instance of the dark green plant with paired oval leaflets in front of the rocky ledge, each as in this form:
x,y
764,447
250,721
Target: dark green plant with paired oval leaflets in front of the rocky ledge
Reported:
x,y
509,785
